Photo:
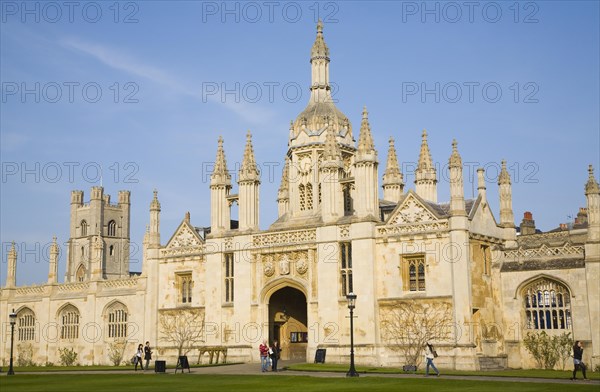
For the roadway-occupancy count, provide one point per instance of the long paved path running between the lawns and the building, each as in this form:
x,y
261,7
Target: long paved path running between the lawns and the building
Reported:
x,y
254,369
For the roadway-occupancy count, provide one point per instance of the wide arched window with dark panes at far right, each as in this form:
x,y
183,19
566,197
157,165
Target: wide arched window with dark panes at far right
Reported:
x,y
547,305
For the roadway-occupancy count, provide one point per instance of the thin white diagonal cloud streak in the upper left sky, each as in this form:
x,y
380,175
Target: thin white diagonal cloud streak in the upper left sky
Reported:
x,y
119,60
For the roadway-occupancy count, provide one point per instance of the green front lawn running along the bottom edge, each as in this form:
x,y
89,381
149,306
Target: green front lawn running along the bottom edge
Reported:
x,y
281,383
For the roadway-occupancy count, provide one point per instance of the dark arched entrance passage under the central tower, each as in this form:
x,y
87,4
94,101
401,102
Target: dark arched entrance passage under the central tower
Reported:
x,y
288,322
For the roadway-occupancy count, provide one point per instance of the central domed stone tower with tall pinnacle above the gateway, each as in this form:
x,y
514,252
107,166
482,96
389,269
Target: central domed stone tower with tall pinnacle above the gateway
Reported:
x,y
317,183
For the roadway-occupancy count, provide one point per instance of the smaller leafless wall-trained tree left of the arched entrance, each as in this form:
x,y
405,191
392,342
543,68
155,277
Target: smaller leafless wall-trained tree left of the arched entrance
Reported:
x,y
182,327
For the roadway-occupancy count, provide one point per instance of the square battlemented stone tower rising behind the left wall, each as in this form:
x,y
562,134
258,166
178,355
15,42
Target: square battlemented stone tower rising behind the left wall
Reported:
x,y
98,247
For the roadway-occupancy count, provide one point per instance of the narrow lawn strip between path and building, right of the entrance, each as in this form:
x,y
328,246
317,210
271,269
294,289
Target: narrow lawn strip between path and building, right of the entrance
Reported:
x,y
534,373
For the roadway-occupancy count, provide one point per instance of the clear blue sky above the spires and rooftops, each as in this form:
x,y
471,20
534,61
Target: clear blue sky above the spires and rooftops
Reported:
x,y
168,74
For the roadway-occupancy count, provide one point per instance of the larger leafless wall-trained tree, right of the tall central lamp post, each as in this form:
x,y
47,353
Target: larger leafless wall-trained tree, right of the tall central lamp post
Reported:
x,y
407,326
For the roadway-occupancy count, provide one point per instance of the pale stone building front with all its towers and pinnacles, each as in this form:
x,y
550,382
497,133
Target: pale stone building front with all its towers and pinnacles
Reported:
x,y
478,283
